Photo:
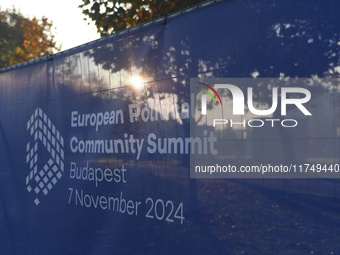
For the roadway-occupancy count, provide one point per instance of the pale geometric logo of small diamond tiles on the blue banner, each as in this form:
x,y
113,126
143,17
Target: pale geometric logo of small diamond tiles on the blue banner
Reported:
x,y
42,132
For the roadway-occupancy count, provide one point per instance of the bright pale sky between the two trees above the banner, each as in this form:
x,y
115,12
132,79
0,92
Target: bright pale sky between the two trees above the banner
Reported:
x,y
69,27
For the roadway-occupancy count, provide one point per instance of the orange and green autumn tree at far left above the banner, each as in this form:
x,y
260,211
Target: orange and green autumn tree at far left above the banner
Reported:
x,y
23,39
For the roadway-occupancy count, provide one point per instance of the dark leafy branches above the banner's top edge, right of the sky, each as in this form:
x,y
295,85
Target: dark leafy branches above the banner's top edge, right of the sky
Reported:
x,y
113,15
